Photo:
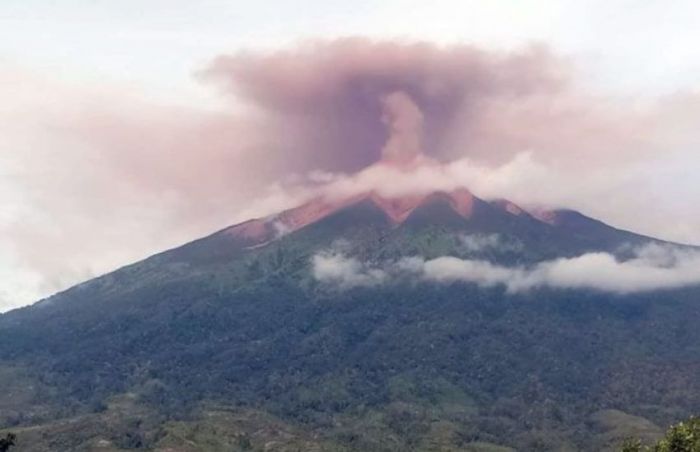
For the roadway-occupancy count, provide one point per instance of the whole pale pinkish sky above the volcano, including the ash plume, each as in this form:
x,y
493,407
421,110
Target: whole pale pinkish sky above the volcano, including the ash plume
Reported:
x,y
130,127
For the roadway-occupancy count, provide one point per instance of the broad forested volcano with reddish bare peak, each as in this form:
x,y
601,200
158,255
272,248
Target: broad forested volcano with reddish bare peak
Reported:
x,y
234,341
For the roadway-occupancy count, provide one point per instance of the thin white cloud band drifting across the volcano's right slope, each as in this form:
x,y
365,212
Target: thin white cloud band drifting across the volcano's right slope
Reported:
x,y
652,267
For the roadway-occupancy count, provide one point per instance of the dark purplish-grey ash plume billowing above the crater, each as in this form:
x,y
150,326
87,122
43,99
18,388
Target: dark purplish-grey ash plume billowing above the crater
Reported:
x,y
343,103
